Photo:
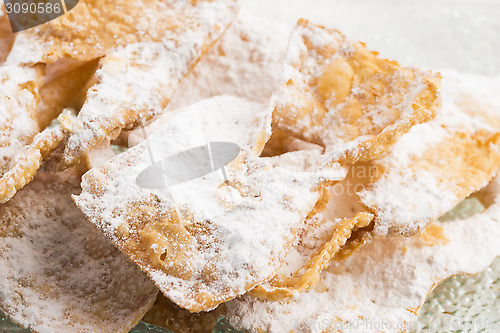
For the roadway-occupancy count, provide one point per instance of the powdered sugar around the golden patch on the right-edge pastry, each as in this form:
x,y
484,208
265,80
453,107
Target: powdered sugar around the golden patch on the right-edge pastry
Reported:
x,y
423,195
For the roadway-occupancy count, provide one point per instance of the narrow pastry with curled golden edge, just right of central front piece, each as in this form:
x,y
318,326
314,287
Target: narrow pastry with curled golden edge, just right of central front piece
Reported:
x,y
327,229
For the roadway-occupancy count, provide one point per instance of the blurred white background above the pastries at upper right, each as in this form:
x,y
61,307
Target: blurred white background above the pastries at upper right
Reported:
x,y
460,34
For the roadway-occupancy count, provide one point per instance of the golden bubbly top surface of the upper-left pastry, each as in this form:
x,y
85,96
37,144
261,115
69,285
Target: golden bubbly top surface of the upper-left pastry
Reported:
x,y
96,27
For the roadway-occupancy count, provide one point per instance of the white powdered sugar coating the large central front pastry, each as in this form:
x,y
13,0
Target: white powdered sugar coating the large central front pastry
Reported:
x,y
244,226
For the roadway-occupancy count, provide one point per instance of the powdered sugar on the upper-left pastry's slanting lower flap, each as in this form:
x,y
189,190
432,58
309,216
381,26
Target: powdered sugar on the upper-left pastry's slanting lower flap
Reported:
x,y
136,81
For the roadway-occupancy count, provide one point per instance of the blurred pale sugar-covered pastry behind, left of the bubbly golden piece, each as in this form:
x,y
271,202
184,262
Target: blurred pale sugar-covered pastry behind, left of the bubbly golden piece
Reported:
x,y
246,62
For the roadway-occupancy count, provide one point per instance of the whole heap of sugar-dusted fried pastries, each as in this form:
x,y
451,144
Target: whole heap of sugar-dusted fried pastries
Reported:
x,y
357,185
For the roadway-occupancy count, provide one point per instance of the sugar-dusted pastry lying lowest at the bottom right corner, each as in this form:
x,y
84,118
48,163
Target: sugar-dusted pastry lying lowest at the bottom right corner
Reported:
x,y
386,282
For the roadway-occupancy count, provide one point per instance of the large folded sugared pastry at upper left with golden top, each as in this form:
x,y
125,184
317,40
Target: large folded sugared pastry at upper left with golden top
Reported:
x,y
144,57
